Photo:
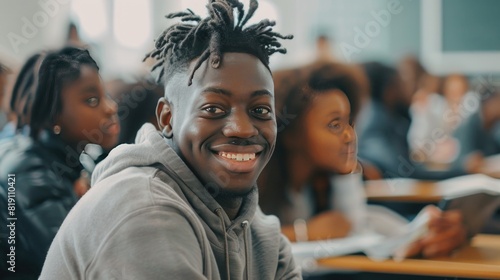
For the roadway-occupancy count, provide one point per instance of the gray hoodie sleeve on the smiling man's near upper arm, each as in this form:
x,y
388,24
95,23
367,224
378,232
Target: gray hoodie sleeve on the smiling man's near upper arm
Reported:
x,y
152,244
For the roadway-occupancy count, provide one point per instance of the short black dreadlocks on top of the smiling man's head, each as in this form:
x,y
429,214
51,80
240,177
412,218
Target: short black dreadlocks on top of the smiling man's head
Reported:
x,y
208,38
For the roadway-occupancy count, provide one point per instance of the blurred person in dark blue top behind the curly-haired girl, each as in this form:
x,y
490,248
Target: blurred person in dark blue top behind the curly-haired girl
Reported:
x,y
382,128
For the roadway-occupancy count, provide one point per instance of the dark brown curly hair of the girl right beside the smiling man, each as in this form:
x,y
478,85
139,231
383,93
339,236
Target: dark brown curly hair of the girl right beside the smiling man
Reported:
x,y
295,89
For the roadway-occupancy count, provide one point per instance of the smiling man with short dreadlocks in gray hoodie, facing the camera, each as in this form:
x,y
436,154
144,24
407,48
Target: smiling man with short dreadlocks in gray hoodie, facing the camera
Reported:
x,y
182,203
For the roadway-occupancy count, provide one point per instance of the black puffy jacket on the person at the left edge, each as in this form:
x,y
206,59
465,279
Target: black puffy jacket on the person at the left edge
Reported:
x,y
44,171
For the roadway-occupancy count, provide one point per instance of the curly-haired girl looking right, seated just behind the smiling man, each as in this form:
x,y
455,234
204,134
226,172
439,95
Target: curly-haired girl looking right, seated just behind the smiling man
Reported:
x,y
314,174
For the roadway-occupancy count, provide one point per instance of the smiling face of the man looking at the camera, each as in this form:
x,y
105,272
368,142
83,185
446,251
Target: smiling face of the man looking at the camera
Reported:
x,y
224,127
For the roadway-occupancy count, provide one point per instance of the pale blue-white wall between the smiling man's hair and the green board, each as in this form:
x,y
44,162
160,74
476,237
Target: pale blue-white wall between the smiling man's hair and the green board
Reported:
x,y
361,30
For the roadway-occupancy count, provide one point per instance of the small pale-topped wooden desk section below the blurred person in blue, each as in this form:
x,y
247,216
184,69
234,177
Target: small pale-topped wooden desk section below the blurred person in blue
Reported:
x,y
403,190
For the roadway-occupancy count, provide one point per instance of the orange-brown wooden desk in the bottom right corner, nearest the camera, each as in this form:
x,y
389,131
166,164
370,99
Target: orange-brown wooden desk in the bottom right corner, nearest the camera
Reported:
x,y
481,259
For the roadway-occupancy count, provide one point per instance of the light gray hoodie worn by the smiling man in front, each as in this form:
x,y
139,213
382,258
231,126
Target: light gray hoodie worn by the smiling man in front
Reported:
x,y
147,216
